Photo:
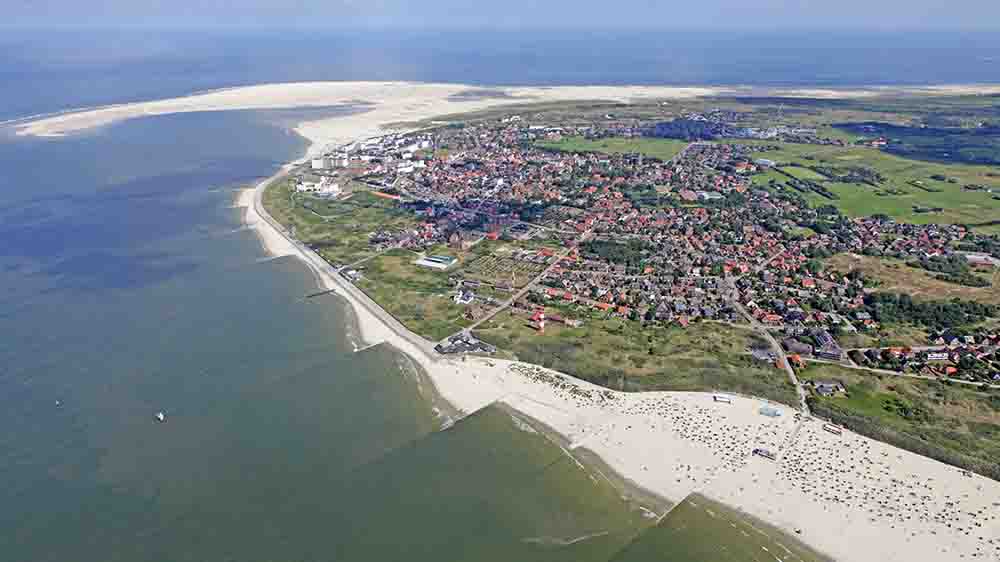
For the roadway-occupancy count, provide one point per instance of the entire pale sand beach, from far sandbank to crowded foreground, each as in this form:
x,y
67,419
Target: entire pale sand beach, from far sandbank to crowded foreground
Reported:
x,y
850,497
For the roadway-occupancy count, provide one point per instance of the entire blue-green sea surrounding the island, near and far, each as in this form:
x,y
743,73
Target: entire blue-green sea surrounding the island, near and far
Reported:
x,y
130,287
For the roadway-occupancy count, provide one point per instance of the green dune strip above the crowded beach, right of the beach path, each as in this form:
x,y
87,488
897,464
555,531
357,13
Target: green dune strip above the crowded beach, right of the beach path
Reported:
x,y
954,423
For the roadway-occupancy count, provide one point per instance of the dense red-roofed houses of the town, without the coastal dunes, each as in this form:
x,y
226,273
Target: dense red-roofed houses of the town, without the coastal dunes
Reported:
x,y
566,234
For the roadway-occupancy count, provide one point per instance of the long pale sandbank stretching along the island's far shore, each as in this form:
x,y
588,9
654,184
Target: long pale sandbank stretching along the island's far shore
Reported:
x,y
401,102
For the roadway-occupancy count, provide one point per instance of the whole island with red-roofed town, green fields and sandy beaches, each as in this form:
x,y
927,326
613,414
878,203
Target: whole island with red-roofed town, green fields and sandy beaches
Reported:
x,y
776,311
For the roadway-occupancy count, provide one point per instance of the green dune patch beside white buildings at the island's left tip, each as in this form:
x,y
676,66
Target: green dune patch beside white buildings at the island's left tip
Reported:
x,y
338,229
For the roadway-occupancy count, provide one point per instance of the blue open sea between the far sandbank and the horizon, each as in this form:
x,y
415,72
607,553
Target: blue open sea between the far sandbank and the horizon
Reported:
x,y
46,70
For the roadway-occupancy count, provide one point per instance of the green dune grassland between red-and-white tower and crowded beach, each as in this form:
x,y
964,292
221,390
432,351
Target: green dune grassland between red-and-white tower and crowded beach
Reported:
x,y
623,354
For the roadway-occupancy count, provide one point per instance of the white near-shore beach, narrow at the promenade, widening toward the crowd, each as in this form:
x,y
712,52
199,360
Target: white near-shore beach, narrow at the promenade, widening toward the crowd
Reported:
x,y
669,445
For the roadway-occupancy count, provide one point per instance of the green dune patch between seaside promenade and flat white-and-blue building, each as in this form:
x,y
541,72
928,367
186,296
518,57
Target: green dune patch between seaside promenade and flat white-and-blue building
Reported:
x,y
419,297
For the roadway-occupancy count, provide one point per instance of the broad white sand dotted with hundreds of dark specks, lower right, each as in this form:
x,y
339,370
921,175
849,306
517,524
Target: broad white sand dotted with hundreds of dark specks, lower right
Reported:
x,y
817,477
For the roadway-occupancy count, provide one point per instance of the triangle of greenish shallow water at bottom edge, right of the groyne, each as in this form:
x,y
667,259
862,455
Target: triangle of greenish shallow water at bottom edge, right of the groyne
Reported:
x,y
701,530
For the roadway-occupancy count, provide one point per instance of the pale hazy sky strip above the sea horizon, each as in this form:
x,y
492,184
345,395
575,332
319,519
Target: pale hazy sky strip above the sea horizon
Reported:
x,y
514,14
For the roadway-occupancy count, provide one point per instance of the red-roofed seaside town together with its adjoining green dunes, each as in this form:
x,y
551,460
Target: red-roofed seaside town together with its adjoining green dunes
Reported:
x,y
531,237
